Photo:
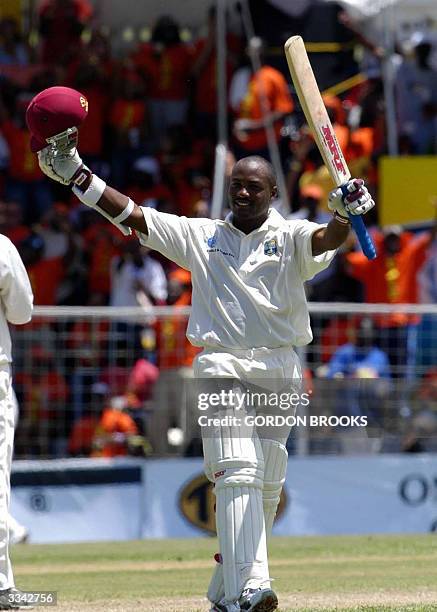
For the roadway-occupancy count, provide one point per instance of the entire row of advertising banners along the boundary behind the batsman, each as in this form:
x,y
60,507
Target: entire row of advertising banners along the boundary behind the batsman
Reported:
x,y
80,500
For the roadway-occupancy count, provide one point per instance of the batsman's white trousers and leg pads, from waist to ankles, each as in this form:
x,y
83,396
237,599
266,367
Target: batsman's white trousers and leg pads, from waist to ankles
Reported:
x,y
246,463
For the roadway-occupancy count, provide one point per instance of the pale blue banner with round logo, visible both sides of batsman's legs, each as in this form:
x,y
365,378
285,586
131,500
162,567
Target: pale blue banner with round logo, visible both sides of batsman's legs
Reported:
x,y
323,495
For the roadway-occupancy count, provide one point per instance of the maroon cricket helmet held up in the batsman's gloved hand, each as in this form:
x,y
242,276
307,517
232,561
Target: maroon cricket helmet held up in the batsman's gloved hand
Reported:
x,y
53,111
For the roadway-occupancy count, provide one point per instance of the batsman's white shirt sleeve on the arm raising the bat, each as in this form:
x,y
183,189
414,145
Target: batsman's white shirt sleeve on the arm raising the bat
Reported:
x,y
308,264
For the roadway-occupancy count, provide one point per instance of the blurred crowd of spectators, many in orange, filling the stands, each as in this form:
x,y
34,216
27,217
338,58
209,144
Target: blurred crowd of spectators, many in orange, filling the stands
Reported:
x,y
151,132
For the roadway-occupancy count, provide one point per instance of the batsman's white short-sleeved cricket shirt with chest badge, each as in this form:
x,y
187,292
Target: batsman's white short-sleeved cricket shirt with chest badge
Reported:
x,y
248,290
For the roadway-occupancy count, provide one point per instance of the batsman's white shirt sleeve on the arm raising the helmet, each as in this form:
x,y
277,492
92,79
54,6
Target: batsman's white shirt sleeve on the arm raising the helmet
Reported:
x,y
168,234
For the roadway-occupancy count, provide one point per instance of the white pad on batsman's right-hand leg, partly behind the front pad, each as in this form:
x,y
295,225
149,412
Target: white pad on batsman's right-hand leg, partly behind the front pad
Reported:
x,y
275,468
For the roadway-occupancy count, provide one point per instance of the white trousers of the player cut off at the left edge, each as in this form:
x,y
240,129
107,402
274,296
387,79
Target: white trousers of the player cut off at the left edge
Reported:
x,y
7,407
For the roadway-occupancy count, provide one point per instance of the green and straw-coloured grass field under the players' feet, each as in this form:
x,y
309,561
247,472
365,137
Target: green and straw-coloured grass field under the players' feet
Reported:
x,y
373,573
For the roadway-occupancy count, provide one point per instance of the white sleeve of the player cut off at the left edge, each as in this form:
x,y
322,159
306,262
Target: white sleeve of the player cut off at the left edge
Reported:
x,y
15,290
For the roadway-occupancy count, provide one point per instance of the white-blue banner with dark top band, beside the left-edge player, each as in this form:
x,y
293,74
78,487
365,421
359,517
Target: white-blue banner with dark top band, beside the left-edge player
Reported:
x,y
78,500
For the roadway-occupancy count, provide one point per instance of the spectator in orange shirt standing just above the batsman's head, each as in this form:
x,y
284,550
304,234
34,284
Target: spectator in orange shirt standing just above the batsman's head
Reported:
x,y
267,99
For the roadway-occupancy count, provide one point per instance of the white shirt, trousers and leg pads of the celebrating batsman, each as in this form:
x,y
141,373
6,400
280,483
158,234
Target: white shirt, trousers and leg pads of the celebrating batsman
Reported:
x,y
248,312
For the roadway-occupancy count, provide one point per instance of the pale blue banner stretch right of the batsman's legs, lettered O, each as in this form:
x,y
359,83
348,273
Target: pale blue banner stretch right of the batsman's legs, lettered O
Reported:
x,y
360,495
